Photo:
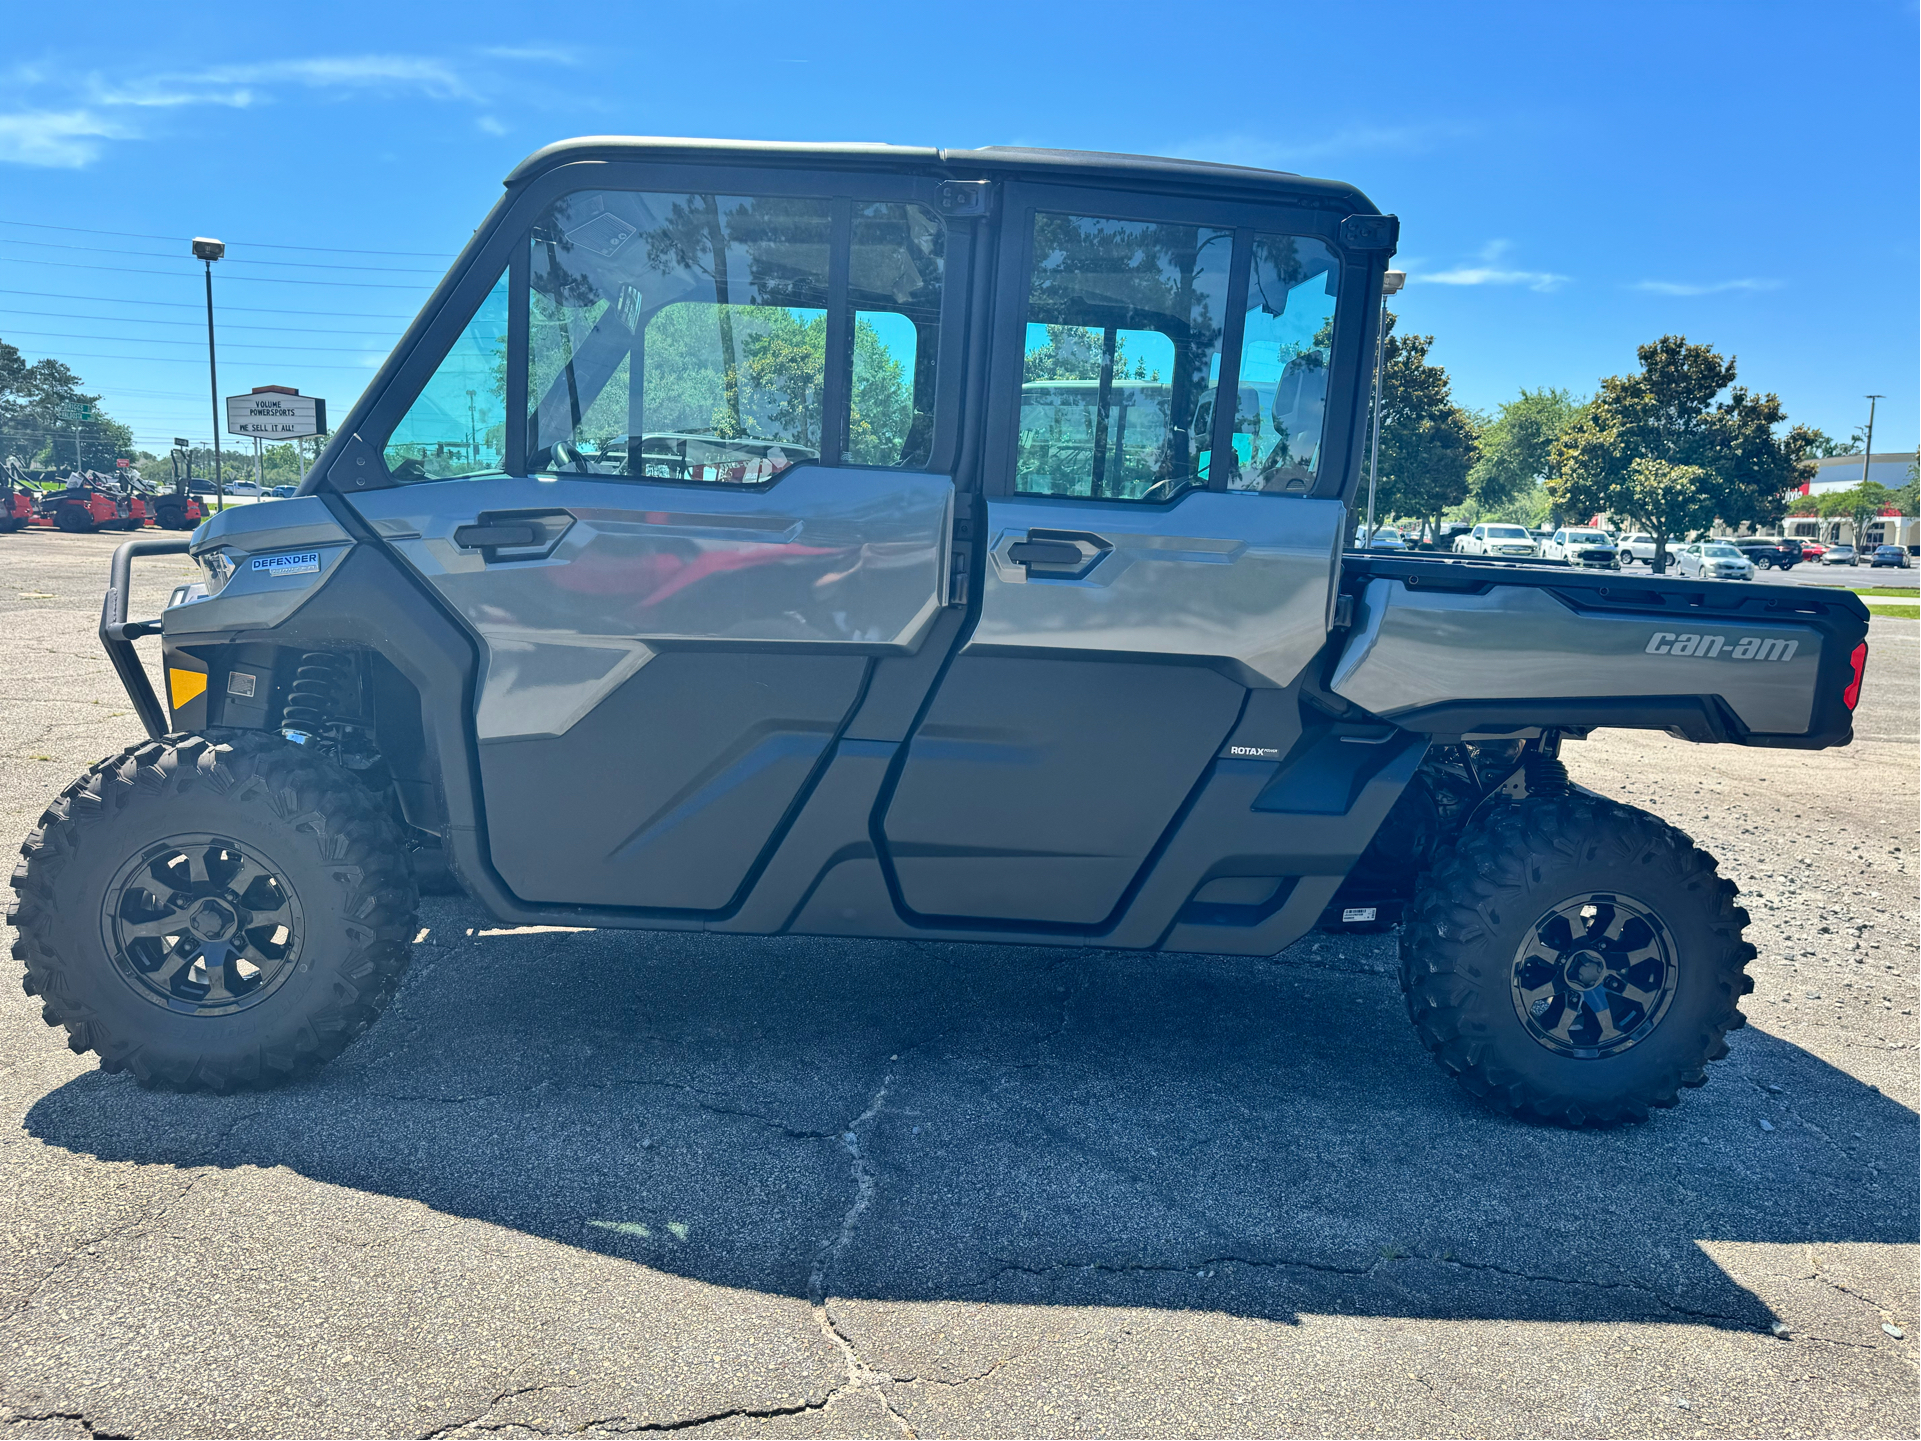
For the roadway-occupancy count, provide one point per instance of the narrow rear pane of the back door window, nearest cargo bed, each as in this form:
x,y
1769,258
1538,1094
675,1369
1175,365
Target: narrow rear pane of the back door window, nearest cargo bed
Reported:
x,y
1284,364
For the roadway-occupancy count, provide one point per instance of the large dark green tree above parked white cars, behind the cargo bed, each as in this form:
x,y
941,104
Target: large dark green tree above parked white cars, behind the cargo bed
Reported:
x,y
1674,412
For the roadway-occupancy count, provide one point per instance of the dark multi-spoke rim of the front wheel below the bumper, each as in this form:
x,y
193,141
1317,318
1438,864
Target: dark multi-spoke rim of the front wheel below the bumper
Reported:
x,y
203,925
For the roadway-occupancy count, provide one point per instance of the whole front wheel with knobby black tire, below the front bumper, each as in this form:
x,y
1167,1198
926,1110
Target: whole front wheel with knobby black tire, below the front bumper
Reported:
x,y
214,912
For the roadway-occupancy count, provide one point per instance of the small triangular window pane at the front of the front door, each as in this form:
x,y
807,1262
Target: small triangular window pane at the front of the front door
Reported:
x,y
458,424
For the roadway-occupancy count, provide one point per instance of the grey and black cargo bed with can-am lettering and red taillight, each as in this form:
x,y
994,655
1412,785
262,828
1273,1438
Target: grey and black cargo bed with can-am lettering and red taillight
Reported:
x,y
1486,648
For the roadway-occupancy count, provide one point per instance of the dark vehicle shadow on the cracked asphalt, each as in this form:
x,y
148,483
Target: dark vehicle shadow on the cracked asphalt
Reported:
x,y
967,1123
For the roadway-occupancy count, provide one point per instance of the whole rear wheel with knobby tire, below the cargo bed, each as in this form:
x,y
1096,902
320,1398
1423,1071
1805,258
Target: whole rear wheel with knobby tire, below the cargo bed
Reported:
x,y
1576,962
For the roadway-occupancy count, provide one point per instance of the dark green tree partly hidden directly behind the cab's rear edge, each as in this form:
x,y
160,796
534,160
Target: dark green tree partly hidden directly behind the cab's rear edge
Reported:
x,y
1428,443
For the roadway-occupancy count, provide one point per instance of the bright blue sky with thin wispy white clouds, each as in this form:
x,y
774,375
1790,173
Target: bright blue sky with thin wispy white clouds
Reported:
x,y
1572,180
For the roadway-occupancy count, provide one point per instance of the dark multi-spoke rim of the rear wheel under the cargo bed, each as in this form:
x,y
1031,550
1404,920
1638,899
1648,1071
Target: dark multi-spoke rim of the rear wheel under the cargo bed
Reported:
x,y
1595,977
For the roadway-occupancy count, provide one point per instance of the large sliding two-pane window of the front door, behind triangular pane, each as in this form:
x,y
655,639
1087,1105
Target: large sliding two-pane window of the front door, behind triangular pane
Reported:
x,y
685,337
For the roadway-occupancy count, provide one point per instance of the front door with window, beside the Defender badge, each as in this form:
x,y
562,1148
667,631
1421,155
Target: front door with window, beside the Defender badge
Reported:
x,y
685,479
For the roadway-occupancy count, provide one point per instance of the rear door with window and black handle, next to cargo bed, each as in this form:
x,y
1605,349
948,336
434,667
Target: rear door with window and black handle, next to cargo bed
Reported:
x,y
1152,552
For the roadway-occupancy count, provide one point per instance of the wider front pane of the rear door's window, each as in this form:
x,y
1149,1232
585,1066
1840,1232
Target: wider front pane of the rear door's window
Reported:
x,y
1123,353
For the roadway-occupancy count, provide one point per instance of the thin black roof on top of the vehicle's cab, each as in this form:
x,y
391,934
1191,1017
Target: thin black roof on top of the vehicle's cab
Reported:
x,y
990,162
